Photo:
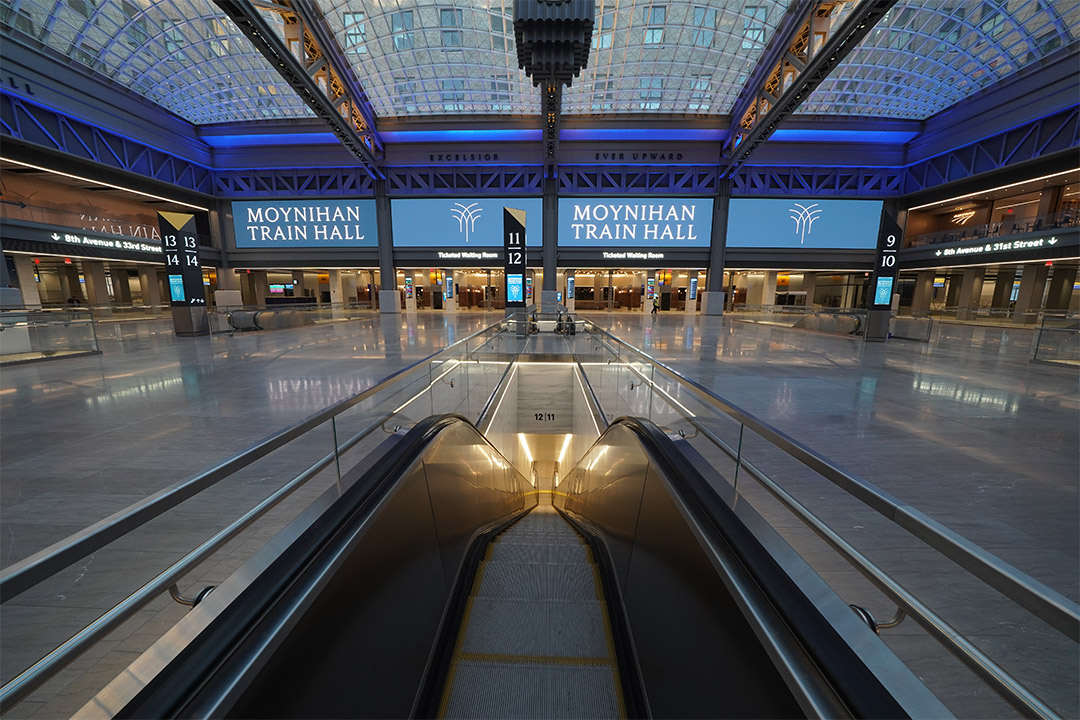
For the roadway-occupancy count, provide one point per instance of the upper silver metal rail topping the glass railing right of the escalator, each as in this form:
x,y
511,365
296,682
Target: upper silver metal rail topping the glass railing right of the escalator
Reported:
x,y
1038,599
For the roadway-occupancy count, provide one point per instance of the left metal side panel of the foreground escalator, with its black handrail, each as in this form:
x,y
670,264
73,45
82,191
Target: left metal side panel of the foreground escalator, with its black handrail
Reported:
x,y
336,618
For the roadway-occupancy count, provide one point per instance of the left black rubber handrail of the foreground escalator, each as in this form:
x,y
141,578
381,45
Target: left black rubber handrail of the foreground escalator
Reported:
x,y
164,695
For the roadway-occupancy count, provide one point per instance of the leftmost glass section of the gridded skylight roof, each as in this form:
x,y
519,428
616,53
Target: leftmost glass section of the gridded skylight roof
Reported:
x,y
184,56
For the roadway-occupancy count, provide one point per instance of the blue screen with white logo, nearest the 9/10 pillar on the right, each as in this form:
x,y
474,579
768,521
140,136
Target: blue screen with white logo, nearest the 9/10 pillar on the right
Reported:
x,y
804,223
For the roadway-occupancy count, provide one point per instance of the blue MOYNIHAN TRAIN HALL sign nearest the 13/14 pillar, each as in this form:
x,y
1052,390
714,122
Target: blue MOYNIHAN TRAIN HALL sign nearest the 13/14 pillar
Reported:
x,y
289,224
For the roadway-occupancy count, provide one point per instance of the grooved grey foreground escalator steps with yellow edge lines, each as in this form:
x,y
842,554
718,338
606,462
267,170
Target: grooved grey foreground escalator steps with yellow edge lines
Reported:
x,y
535,641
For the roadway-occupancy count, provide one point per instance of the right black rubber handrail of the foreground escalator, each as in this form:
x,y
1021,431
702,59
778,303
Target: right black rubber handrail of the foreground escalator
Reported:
x,y
861,691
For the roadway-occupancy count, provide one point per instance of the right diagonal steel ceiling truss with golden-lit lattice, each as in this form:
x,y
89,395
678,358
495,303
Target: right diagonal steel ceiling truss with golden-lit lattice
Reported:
x,y
814,51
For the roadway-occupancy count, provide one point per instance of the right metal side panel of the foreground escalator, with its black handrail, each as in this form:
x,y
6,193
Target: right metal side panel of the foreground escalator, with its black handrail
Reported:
x,y
699,581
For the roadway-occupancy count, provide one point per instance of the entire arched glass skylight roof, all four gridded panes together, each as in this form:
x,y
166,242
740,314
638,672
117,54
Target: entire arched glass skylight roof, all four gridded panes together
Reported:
x,y
453,58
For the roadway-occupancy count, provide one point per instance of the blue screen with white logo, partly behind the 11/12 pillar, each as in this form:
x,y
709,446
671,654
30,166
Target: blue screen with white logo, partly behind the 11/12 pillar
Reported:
x,y
462,223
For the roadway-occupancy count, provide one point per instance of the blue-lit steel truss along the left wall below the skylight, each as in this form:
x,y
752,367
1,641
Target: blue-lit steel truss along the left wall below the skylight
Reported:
x,y
33,124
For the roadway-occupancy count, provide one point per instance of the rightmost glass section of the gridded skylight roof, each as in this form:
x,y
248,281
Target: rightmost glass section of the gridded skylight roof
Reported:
x,y
927,56
